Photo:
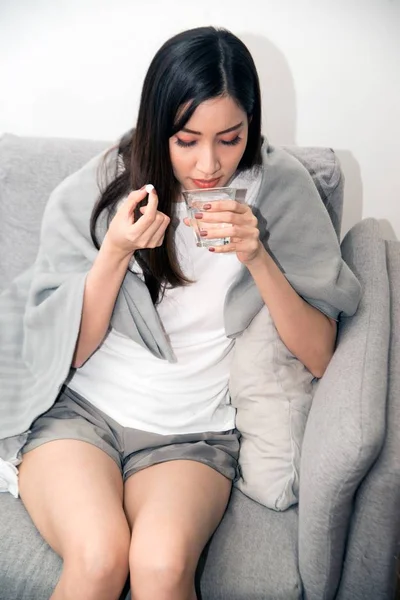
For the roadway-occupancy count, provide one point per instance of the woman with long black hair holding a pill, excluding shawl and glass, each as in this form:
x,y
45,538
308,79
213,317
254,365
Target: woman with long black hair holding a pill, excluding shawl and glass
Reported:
x,y
131,469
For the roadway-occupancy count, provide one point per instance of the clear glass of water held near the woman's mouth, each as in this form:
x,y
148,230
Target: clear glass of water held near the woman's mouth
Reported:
x,y
195,199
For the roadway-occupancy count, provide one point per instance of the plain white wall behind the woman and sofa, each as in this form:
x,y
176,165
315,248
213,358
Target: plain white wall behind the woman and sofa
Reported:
x,y
330,72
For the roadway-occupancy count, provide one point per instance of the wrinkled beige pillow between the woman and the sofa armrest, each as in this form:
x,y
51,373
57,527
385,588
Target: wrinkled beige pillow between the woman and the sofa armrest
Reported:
x,y
272,392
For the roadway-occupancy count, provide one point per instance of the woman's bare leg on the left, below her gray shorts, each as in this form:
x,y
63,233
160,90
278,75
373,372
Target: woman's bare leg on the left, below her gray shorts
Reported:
x,y
73,492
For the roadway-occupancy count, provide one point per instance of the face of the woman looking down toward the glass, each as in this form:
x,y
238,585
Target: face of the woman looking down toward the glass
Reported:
x,y
207,151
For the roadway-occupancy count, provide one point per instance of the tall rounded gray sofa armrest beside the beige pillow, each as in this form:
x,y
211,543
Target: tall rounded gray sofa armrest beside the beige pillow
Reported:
x,y
346,426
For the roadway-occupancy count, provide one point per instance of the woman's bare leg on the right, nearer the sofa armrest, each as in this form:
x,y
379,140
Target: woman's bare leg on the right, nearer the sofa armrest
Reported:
x,y
173,509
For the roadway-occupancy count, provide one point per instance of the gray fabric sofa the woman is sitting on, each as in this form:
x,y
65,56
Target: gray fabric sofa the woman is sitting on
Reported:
x,y
342,540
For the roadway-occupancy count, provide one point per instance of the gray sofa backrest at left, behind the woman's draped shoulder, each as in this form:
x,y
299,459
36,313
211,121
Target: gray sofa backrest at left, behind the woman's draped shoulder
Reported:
x,y
30,168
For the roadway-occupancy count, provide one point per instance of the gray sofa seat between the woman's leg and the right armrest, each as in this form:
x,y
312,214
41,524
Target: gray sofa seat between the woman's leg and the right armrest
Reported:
x,y
252,555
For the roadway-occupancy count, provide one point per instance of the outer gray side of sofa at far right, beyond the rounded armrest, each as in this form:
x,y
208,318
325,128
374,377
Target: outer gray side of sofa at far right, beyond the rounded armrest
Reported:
x,y
374,521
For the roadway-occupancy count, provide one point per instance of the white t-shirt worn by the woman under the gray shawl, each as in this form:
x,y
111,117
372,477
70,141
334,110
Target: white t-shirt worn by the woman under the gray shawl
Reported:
x,y
138,390
